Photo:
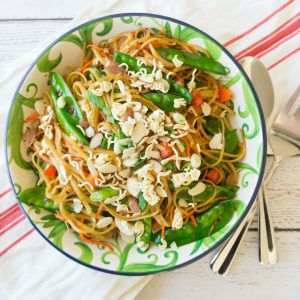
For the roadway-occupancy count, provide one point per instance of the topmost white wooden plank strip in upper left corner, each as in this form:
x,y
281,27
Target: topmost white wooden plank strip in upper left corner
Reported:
x,y
19,9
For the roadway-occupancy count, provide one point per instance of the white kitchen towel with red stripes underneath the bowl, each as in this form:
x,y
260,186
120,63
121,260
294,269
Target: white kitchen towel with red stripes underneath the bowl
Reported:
x,y
30,268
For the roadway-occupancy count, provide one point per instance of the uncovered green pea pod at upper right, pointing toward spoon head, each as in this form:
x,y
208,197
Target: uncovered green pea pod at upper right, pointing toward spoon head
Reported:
x,y
194,61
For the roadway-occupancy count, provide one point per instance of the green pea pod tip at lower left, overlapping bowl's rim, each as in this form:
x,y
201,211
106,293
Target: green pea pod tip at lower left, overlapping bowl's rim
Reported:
x,y
36,197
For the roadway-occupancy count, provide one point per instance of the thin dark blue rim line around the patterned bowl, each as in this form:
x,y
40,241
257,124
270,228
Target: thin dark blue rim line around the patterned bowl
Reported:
x,y
262,121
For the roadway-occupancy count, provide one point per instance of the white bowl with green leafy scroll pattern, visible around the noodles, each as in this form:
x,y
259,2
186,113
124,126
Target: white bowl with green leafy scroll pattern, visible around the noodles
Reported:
x,y
126,258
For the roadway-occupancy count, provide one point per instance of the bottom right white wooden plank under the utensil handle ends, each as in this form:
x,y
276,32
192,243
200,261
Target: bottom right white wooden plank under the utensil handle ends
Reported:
x,y
249,279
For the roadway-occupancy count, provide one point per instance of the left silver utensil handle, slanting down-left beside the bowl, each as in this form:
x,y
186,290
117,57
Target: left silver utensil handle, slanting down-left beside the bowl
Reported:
x,y
222,261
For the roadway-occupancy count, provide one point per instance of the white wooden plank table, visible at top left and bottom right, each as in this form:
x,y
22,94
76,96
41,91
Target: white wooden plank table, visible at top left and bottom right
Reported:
x,y
22,25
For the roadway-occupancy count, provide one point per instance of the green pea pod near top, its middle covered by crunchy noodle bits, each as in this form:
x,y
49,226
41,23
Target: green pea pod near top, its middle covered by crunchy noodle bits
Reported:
x,y
132,65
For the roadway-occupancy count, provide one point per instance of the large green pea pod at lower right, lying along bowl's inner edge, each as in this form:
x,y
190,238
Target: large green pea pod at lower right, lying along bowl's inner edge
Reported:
x,y
208,222
